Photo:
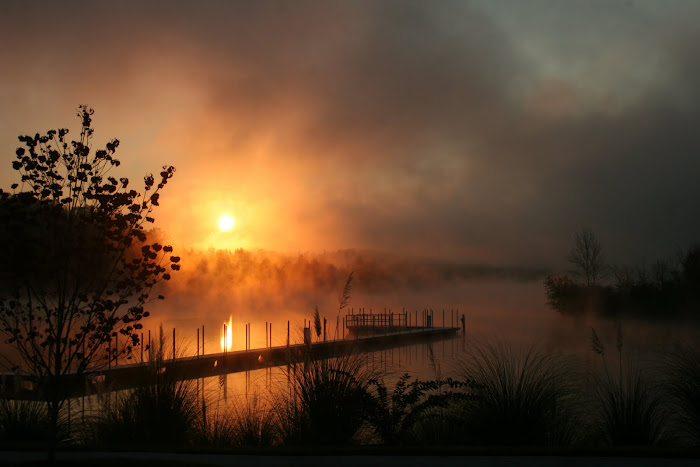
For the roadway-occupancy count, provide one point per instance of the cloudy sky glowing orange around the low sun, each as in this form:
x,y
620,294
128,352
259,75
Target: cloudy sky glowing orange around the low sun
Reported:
x,y
485,132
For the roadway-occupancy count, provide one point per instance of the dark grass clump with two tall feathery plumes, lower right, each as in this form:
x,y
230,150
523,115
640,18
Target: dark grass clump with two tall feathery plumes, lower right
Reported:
x,y
628,408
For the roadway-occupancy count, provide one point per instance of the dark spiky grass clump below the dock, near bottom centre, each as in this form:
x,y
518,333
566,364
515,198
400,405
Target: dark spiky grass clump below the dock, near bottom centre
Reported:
x,y
329,401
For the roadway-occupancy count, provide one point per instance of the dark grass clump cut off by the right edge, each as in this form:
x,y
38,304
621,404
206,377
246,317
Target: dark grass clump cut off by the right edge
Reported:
x,y
681,371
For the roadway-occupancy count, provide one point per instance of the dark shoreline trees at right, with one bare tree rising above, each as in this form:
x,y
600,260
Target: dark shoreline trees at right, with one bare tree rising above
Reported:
x,y
663,289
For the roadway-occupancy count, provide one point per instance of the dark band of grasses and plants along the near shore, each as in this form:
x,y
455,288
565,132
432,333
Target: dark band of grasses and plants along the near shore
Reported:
x,y
504,396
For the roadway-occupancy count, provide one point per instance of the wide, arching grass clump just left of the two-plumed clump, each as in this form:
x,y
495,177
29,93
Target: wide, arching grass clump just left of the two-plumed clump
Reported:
x,y
521,396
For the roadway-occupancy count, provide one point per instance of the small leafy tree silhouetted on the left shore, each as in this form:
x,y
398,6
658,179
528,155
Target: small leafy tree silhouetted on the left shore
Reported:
x,y
79,268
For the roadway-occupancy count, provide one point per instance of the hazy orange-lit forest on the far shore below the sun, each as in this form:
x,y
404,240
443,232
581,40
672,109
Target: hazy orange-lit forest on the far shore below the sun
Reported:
x,y
322,272
